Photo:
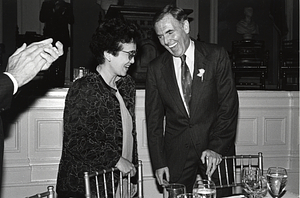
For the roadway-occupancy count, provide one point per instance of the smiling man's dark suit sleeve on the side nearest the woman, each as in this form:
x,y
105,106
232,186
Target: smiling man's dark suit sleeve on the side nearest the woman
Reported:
x,y
154,116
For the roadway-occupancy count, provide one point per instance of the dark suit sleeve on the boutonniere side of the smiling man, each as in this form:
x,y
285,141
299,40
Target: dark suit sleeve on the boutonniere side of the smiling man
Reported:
x,y
222,137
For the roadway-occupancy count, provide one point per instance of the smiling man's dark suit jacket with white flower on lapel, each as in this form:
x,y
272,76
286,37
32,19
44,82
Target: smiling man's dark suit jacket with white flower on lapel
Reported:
x,y
214,109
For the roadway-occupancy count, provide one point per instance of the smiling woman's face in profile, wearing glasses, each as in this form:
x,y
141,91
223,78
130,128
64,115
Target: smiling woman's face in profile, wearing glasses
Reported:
x,y
121,62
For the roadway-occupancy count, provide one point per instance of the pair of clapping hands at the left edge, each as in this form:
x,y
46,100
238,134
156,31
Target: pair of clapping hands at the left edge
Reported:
x,y
27,61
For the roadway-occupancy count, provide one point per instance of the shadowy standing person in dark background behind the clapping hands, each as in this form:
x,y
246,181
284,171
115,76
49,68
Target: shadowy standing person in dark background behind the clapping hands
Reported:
x,y
57,15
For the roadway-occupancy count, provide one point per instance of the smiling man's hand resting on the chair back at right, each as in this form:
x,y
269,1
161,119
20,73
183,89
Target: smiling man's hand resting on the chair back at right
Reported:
x,y
211,159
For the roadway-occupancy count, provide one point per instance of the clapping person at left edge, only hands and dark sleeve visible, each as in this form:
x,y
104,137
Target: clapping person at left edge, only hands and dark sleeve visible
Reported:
x,y
22,67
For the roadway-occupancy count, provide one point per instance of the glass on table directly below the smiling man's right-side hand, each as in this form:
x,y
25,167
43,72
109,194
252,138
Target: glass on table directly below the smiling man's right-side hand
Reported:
x,y
205,188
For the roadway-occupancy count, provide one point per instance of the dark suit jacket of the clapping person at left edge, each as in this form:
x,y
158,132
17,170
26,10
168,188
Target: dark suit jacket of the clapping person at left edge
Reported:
x,y
6,95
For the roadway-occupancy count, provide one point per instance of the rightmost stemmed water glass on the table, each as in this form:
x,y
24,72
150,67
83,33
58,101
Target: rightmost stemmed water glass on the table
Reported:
x,y
277,179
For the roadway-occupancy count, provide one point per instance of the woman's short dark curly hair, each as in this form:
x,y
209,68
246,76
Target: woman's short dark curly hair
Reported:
x,y
109,36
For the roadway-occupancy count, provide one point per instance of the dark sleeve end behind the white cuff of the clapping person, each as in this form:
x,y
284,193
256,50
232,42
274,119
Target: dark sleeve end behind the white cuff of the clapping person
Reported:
x,y
6,92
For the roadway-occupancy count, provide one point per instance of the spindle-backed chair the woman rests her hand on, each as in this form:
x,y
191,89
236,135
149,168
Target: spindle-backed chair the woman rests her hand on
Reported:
x,y
104,175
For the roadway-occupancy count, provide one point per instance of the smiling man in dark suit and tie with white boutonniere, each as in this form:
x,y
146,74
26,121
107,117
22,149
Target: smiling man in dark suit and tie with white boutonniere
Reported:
x,y
196,132
